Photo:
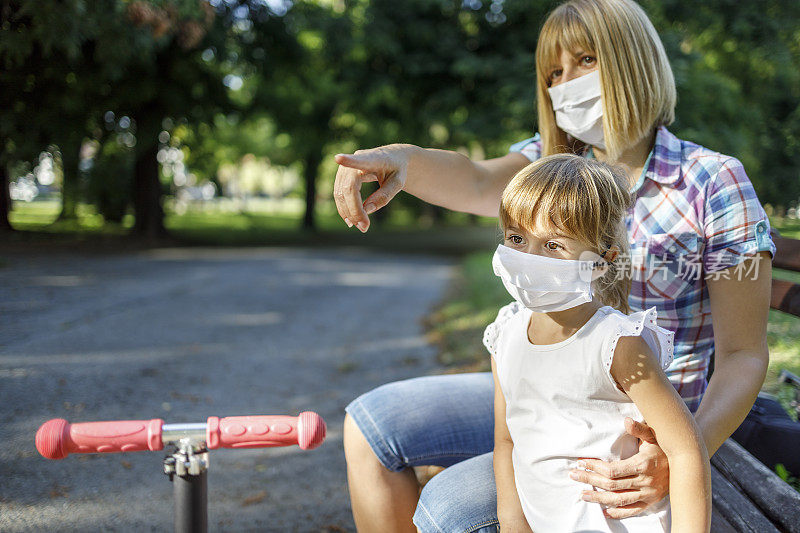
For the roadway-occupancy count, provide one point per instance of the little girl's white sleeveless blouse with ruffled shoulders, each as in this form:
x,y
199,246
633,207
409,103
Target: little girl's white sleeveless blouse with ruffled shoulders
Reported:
x,y
562,404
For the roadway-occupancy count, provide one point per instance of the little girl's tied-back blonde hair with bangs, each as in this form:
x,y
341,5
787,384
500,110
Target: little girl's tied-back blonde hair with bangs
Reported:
x,y
582,198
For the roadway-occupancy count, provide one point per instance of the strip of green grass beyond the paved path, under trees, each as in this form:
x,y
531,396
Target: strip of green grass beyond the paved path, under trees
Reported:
x,y
397,229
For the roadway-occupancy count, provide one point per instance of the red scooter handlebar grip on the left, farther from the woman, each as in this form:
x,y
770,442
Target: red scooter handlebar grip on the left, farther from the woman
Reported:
x,y
58,438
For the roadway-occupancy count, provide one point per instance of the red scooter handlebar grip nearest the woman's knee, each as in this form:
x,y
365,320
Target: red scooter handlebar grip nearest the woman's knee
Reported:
x,y
307,430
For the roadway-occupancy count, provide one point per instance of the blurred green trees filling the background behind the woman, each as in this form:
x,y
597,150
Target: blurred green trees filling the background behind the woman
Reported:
x,y
130,107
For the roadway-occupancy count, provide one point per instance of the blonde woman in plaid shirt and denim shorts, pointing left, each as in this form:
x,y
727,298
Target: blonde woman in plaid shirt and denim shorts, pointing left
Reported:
x,y
700,249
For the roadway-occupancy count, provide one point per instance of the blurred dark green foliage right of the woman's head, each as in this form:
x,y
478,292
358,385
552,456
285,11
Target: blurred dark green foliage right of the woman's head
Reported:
x,y
737,66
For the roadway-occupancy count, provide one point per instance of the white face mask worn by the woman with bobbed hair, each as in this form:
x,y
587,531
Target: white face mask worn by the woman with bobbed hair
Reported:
x,y
578,105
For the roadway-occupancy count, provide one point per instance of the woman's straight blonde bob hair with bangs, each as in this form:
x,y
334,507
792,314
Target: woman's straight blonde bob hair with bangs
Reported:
x,y
636,80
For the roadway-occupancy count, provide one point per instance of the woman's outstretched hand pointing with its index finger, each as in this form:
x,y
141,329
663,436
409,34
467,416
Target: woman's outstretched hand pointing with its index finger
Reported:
x,y
387,165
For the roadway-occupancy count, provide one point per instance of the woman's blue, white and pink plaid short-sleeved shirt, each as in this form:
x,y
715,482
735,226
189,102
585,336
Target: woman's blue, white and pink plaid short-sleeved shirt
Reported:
x,y
694,214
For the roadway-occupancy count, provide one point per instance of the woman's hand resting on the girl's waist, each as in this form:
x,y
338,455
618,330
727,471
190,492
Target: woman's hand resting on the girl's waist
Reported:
x,y
632,484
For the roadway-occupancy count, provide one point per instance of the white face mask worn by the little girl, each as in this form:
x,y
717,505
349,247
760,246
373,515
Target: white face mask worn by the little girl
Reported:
x,y
541,283
